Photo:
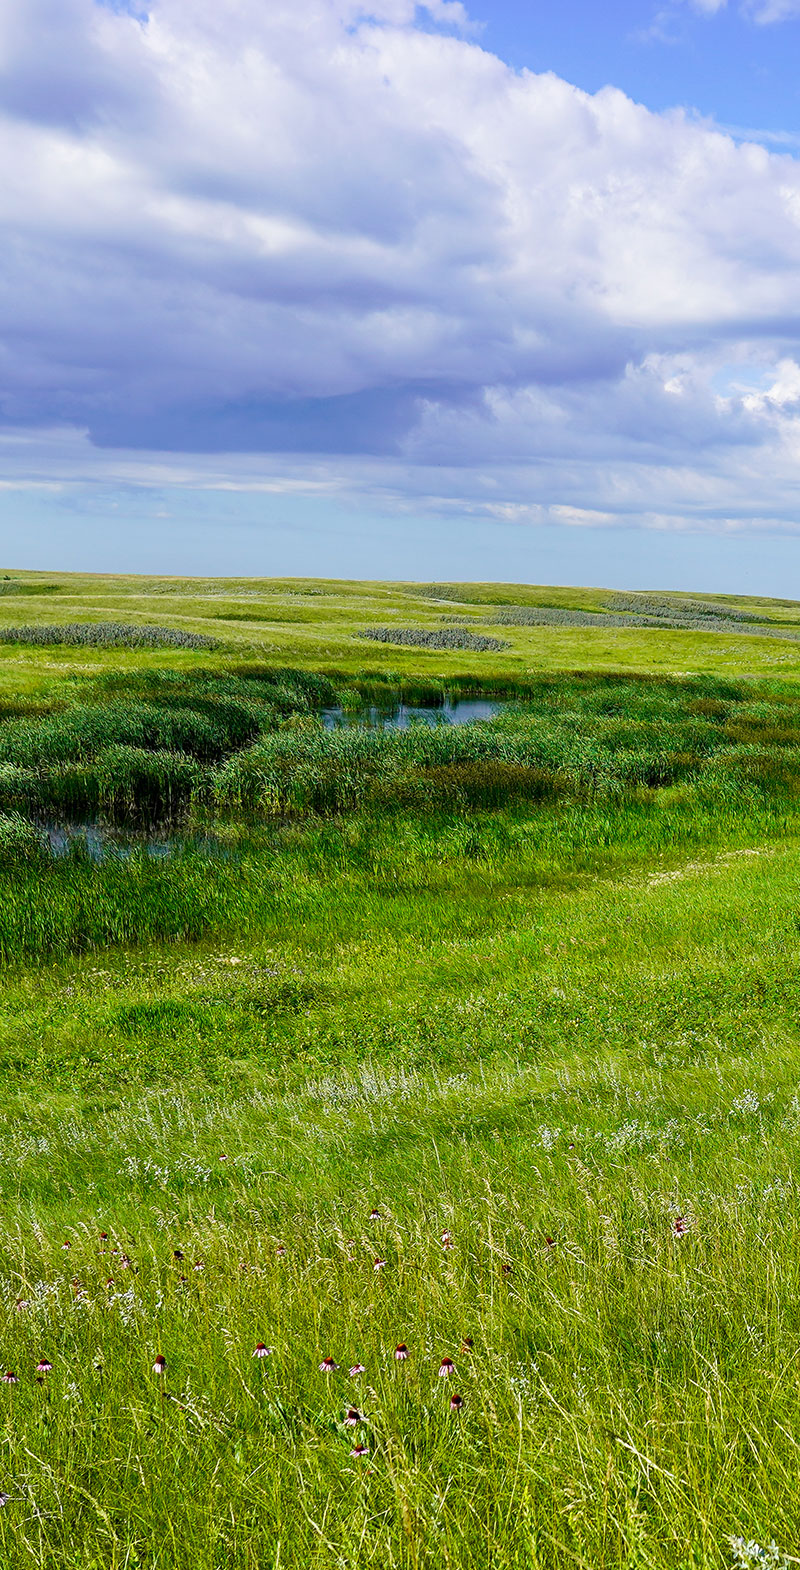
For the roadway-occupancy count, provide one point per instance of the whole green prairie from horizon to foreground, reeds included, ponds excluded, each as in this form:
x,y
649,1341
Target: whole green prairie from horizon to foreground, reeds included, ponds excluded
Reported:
x,y
481,1040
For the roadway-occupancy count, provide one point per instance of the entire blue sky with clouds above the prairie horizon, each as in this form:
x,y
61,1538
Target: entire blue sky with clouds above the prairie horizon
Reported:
x,y
482,291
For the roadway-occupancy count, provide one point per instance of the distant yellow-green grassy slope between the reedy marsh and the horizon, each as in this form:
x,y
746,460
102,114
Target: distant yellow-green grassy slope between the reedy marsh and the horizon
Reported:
x,y
313,627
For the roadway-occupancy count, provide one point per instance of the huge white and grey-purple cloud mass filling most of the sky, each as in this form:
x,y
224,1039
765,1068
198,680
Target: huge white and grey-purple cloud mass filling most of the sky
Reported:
x,y
349,247
